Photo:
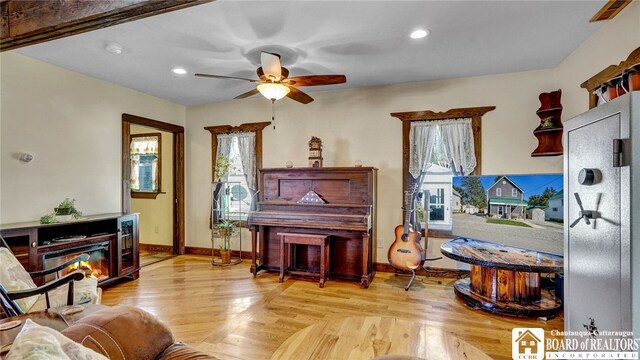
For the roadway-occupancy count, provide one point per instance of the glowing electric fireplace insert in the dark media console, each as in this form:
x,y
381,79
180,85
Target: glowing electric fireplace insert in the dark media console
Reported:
x,y
98,265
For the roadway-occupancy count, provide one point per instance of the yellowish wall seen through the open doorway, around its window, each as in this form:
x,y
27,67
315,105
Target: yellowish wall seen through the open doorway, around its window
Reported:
x,y
156,215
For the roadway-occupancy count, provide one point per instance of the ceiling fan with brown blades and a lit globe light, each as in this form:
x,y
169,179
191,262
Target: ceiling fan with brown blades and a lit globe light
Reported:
x,y
274,83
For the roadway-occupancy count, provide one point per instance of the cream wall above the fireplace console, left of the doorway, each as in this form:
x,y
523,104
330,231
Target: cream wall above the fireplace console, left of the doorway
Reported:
x,y
72,124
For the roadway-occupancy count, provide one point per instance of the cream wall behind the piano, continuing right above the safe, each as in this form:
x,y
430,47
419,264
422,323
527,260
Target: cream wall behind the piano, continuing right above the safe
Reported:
x,y
355,124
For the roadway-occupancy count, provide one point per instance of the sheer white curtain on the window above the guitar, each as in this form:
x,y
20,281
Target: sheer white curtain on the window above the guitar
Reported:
x,y
456,137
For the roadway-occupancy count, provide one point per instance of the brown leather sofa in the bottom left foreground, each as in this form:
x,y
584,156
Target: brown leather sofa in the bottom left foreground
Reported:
x,y
118,333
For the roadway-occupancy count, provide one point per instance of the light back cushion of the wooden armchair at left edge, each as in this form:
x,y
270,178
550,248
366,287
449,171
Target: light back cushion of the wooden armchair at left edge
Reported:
x,y
14,277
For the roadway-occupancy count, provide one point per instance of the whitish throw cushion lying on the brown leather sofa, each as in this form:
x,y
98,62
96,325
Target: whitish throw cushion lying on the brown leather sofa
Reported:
x,y
40,342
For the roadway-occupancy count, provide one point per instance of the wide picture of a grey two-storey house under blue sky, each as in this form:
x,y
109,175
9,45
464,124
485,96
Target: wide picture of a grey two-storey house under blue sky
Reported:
x,y
518,210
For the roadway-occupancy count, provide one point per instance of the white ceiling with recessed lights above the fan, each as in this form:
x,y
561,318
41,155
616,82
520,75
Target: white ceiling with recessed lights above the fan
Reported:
x,y
365,40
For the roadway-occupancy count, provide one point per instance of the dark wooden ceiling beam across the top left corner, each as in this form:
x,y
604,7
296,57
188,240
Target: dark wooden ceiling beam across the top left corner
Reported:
x,y
28,22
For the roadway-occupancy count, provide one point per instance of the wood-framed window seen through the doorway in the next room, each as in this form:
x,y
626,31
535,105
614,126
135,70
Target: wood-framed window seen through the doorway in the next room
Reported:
x,y
146,164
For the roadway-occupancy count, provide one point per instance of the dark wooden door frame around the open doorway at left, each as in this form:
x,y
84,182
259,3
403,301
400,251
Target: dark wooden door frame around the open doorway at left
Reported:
x,y
178,172
